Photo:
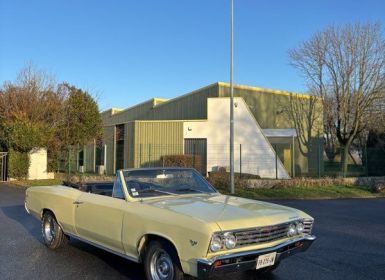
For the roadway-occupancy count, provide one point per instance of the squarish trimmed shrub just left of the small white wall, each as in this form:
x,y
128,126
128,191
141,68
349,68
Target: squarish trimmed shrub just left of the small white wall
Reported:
x,y
18,164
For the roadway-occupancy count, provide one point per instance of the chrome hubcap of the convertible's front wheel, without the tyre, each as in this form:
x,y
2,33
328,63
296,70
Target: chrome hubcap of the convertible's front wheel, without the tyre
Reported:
x,y
161,266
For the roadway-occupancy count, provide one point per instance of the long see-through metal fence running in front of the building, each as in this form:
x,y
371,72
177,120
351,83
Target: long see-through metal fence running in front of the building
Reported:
x,y
273,161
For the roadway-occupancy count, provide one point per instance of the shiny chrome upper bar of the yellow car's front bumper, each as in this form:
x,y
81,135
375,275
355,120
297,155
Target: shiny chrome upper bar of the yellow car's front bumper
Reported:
x,y
259,251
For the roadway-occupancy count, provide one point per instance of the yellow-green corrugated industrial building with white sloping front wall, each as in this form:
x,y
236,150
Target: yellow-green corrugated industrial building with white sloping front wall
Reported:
x,y
198,123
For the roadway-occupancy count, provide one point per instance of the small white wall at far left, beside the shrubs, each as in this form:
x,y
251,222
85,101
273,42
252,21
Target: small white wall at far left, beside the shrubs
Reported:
x,y
38,165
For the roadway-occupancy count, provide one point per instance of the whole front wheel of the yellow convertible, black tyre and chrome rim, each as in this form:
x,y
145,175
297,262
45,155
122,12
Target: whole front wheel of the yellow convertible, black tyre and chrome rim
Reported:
x,y
161,262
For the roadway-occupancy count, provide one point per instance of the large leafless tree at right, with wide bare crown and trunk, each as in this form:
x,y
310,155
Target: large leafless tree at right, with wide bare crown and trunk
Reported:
x,y
346,67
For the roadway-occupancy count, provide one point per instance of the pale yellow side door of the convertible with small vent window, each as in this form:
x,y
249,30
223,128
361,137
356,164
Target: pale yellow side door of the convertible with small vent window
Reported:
x,y
98,218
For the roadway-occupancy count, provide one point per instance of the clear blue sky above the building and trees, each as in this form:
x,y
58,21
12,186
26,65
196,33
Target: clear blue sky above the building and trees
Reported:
x,y
125,52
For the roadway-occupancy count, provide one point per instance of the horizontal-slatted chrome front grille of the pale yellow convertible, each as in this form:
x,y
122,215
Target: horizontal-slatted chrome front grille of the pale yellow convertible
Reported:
x,y
266,234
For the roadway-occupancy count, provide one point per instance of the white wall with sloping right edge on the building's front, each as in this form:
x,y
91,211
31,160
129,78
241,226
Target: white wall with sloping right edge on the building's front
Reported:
x,y
258,156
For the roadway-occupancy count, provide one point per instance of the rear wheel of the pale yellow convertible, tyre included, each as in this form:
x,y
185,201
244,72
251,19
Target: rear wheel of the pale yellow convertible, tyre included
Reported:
x,y
53,235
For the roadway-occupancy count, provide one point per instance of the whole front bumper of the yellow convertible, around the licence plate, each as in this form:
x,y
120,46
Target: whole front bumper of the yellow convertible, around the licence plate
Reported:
x,y
243,261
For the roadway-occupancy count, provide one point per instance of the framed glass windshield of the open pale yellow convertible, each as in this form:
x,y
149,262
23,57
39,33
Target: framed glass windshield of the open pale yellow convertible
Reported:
x,y
157,182
